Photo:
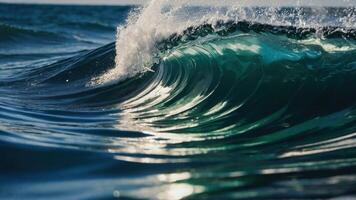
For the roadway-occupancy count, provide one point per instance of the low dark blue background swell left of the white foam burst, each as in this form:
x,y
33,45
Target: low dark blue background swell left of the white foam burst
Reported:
x,y
13,36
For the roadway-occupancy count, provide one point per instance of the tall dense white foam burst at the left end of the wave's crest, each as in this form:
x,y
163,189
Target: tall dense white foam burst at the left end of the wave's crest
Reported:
x,y
135,42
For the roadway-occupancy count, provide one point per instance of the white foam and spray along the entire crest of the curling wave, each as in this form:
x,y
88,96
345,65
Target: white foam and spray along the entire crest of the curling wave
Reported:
x,y
159,19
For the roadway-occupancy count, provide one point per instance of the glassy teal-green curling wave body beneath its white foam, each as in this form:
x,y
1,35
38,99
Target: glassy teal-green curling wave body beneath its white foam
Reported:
x,y
240,79
